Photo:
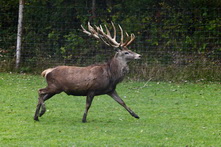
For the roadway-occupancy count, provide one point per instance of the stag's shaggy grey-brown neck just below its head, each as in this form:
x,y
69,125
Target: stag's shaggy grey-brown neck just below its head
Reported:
x,y
118,69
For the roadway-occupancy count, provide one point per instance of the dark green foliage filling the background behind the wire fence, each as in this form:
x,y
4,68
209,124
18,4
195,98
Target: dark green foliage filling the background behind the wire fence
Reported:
x,y
52,32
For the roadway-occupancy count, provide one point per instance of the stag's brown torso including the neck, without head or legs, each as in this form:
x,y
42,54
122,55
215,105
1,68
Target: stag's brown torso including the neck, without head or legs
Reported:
x,y
79,81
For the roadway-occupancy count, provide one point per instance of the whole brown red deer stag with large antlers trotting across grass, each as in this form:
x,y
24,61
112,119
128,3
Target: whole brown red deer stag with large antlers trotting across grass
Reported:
x,y
92,80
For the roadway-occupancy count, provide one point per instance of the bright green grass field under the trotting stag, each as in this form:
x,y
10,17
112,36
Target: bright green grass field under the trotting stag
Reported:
x,y
171,114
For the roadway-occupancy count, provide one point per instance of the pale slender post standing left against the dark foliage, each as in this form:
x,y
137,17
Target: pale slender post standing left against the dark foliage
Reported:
x,y
19,33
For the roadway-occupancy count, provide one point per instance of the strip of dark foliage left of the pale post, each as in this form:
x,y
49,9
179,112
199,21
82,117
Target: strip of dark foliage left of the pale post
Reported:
x,y
8,28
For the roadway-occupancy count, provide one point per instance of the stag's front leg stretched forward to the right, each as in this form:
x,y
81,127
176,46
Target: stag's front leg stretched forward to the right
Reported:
x,y
115,96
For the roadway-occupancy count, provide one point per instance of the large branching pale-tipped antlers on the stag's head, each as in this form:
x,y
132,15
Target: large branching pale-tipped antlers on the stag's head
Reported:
x,y
99,33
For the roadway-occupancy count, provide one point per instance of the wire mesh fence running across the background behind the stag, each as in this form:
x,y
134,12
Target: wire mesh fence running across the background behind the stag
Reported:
x,y
170,40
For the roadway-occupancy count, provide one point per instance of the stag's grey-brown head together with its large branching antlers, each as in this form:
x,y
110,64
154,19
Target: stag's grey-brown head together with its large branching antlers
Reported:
x,y
121,47
